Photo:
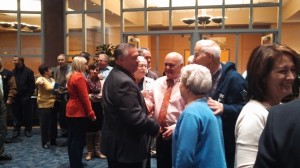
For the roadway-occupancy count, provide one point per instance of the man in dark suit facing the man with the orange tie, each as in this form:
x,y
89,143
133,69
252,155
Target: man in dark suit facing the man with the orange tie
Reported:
x,y
126,128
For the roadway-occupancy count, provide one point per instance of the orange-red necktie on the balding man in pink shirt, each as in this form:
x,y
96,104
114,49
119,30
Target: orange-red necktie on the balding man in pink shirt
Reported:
x,y
164,106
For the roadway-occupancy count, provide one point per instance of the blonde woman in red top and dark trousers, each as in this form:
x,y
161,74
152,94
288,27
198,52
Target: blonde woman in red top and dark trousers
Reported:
x,y
78,111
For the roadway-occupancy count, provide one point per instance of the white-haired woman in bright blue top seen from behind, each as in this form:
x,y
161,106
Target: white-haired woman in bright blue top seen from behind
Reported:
x,y
197,139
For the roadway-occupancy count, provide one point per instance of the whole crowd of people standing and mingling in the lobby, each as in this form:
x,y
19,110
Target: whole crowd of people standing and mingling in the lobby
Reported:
x,y
204,114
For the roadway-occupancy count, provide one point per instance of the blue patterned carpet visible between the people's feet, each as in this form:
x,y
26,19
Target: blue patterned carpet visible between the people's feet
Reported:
x,y
28,153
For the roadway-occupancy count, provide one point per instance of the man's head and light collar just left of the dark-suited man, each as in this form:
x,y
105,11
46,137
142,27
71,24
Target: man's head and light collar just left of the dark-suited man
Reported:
x,y
104,68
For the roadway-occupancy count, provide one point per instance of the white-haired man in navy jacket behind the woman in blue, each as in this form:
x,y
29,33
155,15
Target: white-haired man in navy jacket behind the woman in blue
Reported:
x,y
228,93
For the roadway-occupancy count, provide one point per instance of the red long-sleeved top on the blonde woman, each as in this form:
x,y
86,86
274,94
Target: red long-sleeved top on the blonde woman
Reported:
x,y
79,104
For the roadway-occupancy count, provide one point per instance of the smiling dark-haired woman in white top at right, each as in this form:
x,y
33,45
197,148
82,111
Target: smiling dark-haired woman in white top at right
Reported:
x,y
271,72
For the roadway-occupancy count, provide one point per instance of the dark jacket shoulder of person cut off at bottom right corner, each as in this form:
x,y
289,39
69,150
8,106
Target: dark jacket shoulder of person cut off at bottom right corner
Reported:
x,y
279,142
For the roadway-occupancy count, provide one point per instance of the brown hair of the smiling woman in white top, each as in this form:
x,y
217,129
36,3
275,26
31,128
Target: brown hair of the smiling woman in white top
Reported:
x,y
260,65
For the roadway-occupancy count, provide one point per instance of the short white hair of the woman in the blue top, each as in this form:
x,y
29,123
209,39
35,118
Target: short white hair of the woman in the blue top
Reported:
x,y
197,78
